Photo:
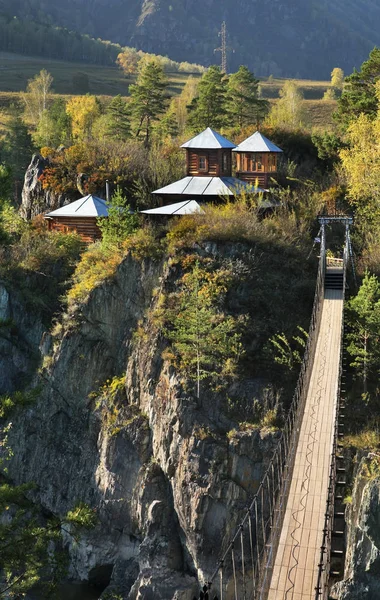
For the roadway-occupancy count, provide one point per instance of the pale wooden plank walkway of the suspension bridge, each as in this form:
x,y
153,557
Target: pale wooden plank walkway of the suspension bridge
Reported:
x,y
296,566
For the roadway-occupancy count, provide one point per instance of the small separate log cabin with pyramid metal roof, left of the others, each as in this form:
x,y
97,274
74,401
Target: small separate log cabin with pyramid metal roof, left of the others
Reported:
x,y
80,217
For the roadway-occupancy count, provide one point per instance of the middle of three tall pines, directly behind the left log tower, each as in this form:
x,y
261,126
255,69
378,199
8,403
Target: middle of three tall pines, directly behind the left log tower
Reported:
x,y
208,109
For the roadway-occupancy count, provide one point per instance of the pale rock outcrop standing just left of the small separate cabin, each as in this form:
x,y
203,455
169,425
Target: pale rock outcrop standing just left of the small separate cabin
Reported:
x,y
35,200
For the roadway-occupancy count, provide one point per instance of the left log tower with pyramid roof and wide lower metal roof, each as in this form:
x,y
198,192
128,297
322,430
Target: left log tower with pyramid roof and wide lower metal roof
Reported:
x,y
208,171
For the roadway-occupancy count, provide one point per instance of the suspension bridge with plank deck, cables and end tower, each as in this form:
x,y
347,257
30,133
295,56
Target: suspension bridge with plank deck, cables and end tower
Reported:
x,y
284,547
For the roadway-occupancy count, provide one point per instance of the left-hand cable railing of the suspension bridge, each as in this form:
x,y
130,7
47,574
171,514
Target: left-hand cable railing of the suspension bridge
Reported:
x,y
245,568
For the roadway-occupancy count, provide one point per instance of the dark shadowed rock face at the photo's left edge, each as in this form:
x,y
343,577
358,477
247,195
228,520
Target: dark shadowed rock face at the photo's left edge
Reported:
x,y
20,334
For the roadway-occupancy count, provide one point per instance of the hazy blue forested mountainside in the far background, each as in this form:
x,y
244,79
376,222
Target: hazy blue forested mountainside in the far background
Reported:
x,y
291,38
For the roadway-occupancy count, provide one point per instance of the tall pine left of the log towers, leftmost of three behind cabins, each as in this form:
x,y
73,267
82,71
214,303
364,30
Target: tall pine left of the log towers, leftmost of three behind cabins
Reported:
x,y
148,98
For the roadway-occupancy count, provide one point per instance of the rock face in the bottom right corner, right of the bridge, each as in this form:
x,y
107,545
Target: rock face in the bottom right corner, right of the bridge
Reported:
x,y
362,568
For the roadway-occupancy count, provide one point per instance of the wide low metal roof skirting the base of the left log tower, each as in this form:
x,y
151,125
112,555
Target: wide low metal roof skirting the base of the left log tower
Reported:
x,y
207,186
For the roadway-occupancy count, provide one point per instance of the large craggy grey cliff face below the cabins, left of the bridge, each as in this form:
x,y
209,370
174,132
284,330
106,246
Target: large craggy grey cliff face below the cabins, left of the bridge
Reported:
x,y
165,480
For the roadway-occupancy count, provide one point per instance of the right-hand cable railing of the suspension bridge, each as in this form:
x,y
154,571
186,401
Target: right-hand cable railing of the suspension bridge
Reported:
x,y
322,587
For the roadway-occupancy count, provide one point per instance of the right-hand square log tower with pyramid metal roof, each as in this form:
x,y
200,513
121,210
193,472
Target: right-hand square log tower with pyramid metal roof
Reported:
x,y
256,160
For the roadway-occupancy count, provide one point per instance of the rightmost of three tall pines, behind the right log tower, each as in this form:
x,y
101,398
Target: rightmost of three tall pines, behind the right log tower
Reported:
x,y
242,99
